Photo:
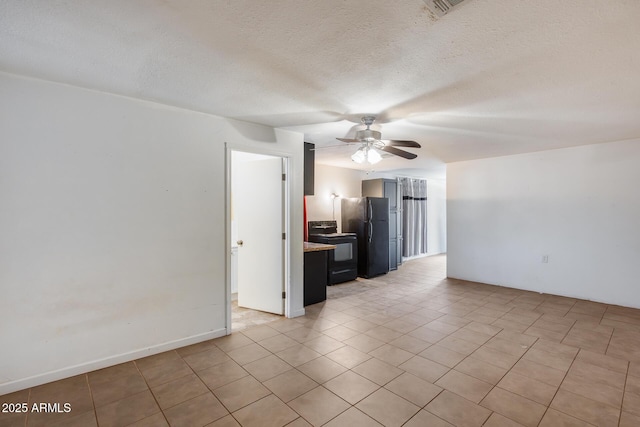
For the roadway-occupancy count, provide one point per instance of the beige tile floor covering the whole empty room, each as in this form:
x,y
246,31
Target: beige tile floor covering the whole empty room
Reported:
x,y
409,348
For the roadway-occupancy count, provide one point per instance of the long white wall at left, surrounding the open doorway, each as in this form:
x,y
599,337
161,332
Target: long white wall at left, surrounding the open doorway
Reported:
x,y
112,219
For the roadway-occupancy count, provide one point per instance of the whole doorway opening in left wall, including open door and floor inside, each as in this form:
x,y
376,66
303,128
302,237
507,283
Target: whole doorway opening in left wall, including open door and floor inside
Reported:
x,y
257,225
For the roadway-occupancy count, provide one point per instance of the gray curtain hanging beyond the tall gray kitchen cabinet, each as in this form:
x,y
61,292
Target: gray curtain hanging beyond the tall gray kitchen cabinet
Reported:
x,y
414,216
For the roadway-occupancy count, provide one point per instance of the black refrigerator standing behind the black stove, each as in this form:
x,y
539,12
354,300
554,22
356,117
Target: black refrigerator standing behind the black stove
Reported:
x,y
368,218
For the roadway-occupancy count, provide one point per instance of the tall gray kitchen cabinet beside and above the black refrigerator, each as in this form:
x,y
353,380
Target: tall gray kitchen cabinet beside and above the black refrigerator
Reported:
x,y
389,188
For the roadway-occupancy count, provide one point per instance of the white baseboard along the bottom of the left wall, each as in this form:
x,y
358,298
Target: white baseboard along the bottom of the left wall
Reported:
x,y
70,371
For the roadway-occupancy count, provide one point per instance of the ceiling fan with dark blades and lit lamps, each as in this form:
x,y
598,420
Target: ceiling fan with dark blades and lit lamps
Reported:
x,y
371,144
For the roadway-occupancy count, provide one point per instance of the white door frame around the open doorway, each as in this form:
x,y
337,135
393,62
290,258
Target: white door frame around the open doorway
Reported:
x,y
286,226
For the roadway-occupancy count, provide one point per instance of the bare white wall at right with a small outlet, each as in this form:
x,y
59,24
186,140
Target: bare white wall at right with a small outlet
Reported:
x,y
580,206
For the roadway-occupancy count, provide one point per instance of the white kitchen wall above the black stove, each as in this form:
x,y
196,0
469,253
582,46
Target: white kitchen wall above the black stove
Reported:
x,y
328,180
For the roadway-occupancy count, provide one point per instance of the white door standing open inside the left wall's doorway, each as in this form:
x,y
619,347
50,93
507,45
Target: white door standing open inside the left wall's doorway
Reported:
x,y
257,205
